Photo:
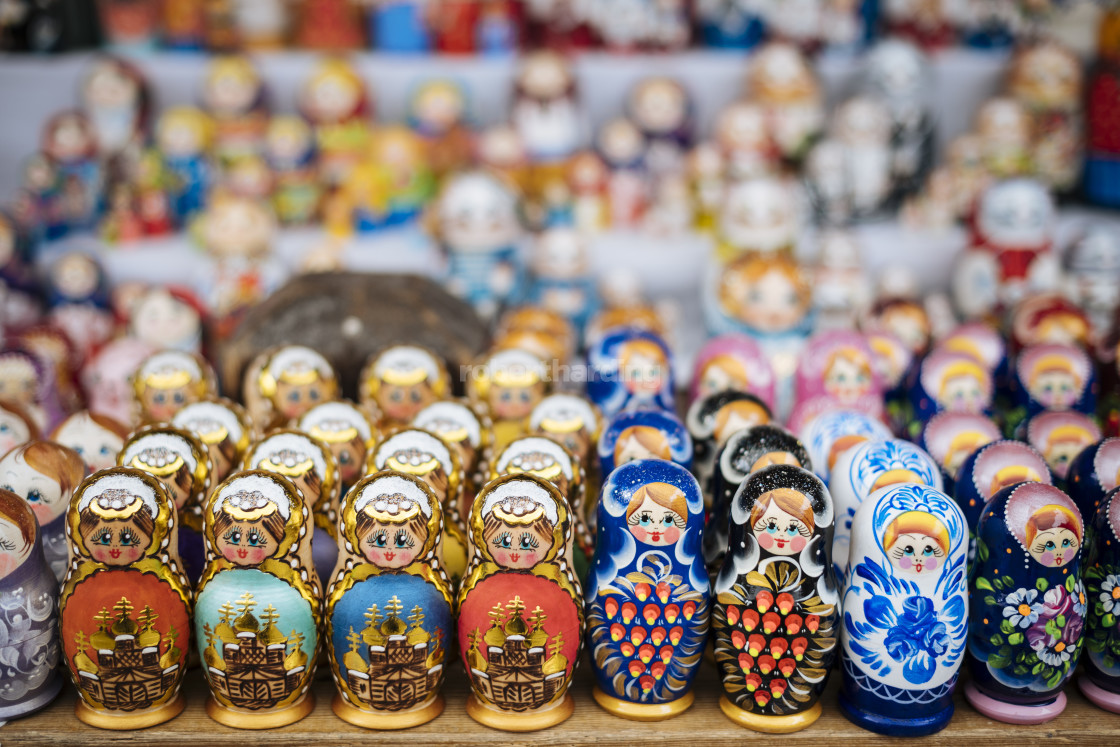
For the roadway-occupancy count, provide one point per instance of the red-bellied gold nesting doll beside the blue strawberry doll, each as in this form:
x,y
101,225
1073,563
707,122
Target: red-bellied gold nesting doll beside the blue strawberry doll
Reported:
x,y
521,609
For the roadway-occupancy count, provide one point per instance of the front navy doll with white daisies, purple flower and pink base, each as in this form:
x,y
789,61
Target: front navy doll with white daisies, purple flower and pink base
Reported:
x,y
1028,610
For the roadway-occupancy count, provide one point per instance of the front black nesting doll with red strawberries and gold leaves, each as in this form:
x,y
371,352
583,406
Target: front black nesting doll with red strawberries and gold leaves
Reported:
x,y
778,608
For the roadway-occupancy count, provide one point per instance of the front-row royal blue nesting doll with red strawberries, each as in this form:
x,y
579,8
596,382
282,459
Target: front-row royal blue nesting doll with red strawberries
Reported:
x,y
648,599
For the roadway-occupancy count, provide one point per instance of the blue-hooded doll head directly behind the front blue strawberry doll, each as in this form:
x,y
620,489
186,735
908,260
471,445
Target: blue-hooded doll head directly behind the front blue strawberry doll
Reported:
x,y
645,435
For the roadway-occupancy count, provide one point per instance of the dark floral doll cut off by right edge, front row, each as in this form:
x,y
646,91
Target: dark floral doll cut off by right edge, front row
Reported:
x,y
1102,680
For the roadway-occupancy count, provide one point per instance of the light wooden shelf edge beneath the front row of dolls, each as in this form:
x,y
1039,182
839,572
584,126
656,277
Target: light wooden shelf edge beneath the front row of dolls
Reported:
x,y
1081,724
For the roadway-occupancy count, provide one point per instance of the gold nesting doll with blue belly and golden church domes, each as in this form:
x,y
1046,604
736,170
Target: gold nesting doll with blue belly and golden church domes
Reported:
x,y
389,609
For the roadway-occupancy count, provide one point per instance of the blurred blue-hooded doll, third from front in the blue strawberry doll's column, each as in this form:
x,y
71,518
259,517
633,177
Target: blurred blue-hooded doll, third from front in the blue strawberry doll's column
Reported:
x,y
631,369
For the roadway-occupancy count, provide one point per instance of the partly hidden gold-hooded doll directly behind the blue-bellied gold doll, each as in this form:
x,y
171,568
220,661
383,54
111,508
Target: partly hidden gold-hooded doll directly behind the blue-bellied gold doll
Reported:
x,y
427,456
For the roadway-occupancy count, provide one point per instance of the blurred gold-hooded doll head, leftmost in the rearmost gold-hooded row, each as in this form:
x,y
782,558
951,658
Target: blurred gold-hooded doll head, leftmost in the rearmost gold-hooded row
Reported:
x,y
169,381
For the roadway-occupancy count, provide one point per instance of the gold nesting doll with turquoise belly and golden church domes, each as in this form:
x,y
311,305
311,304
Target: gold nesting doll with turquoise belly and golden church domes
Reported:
x,y
258,612
